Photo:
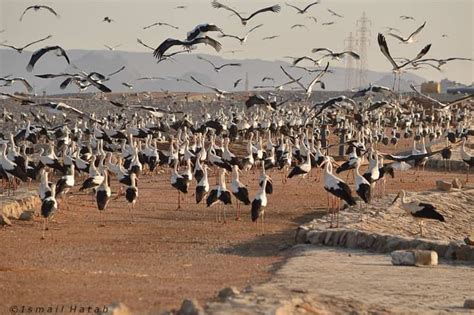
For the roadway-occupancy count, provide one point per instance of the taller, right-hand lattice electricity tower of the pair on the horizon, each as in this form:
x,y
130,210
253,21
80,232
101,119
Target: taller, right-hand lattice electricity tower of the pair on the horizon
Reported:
x,y
363,41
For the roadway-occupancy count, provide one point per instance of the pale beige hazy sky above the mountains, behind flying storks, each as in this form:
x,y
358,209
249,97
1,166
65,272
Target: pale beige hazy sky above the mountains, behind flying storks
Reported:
x,y
81,26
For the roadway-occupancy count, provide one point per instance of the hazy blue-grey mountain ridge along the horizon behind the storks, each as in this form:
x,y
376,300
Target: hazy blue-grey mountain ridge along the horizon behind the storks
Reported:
x,y
140,64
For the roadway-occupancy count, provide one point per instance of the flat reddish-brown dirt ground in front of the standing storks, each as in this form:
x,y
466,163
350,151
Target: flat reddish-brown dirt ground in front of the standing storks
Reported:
x,y
162,256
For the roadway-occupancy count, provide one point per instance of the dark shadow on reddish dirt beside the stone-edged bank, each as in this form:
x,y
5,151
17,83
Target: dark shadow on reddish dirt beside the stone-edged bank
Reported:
x,y
270,243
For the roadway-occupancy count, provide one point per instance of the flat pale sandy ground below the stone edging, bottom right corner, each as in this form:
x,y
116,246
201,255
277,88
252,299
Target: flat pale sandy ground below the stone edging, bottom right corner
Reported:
x,y
371,278
